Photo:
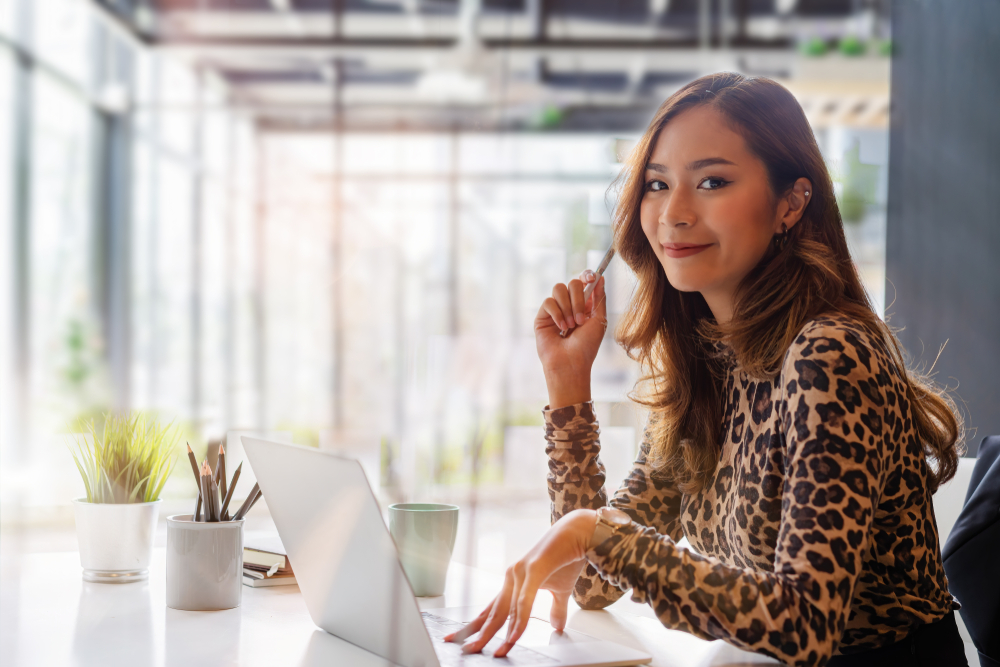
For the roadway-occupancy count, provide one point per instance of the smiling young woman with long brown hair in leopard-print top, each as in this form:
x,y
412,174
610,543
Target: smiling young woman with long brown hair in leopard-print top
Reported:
x,y
787,440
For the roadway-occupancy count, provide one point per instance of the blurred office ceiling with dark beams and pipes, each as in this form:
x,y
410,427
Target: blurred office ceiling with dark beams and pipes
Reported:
x,y
485,64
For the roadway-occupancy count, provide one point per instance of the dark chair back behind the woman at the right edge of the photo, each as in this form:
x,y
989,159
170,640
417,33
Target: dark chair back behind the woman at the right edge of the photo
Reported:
x,y
972,554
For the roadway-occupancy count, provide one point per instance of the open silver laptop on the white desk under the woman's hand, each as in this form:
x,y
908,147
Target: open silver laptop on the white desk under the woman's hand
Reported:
x,y
354,585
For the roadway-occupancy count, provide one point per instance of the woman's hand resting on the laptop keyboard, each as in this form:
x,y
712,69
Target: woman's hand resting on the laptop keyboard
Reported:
x,y
554,564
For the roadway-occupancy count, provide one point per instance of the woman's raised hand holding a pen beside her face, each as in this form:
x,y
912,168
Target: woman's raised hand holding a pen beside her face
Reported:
x,y
567,361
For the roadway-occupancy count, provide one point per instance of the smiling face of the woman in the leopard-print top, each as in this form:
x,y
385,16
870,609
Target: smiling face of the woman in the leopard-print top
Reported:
x,y
707,209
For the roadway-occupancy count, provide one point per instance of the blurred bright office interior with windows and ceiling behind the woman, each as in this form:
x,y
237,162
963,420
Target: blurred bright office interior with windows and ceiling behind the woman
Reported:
x,y
333,221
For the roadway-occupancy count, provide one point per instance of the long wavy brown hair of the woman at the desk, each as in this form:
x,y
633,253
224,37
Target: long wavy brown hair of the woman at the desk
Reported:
x,y
674,335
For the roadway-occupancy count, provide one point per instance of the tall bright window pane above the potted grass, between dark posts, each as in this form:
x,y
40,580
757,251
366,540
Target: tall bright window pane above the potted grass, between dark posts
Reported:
x,y
67,371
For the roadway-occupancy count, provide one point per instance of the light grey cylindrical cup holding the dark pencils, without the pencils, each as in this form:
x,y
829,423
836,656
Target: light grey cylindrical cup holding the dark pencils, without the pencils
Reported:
x,y
204,564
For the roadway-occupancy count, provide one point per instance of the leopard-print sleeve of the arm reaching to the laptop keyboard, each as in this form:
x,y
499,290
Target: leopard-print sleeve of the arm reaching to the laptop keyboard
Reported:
x,y
832,479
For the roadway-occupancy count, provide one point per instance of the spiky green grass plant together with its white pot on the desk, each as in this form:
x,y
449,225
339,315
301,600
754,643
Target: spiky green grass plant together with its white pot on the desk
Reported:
x,y
123,470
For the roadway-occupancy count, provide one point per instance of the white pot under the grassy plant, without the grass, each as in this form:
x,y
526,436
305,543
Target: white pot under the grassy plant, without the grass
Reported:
x,y
116,540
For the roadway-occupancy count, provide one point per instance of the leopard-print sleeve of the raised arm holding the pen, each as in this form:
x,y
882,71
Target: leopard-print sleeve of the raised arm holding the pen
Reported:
x,y
576,480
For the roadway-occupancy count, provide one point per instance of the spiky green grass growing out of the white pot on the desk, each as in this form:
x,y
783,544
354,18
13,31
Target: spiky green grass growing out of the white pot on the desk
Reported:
x,y
129,462
